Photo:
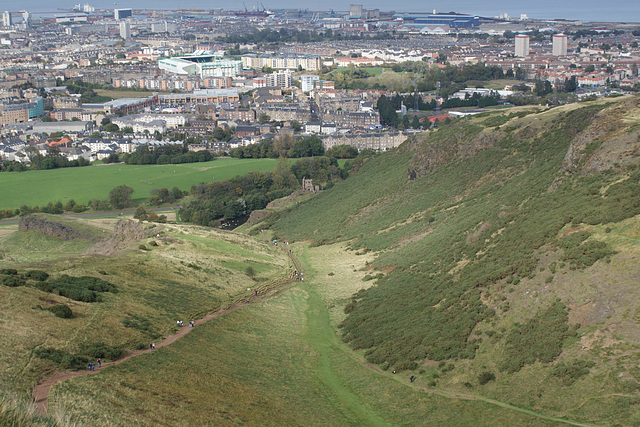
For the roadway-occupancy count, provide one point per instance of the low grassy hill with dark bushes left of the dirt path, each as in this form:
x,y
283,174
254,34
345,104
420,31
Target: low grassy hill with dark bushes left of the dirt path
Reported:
x,y
156,276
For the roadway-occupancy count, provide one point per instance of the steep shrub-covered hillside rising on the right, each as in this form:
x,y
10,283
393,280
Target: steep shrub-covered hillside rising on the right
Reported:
x,y
507,256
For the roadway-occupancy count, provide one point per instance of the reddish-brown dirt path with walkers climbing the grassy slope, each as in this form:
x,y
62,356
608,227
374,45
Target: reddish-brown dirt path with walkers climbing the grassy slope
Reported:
x,y
265,292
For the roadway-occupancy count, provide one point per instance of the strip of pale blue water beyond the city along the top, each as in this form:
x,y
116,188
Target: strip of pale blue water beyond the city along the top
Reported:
x,y
587,10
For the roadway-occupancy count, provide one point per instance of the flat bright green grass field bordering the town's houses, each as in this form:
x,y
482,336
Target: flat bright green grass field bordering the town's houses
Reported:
x,y
95,182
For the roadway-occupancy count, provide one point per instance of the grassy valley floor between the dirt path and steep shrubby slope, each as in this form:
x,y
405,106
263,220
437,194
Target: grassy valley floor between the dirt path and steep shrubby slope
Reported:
x,y
278,362
